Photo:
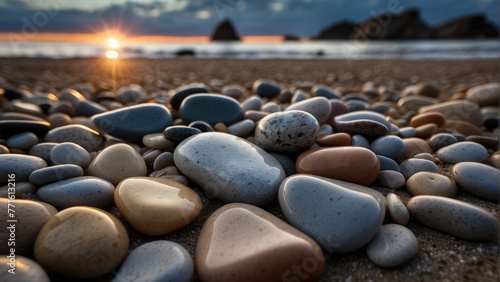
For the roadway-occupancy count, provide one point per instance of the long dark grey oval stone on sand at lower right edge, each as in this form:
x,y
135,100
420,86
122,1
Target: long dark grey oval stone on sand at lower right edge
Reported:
x,y
454,217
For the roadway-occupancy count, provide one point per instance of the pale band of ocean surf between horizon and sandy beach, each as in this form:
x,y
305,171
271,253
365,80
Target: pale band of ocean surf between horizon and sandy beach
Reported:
x,y
342,49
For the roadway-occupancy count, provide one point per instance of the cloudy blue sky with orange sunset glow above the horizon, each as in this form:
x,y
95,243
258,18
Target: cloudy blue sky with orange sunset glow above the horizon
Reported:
x,y
187,18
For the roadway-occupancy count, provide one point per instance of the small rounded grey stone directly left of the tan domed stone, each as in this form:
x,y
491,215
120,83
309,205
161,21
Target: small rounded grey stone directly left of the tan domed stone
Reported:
x,y
70,153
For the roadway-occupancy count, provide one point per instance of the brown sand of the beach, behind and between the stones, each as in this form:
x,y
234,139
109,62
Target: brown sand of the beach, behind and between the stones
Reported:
x,y
441,257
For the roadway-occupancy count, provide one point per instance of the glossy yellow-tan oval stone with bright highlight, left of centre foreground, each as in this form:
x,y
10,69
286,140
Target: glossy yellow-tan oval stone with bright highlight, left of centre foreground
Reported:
x,y
156,206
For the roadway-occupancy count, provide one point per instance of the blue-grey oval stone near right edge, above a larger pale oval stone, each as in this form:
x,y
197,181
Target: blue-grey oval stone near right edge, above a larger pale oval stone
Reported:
x,y
465,151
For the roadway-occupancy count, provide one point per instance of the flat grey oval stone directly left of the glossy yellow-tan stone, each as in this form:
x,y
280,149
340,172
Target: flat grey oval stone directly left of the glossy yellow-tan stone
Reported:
x,y
78,191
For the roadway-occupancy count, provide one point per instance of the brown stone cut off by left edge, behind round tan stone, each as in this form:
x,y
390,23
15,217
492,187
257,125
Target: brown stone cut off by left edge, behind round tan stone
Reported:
x,y
31,216
